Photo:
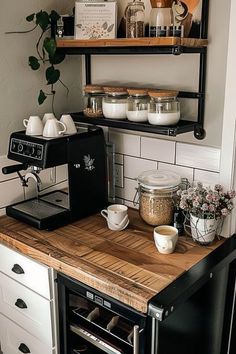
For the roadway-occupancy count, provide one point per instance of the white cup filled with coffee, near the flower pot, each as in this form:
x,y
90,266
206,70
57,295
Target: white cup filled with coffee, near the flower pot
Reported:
x,y
165,238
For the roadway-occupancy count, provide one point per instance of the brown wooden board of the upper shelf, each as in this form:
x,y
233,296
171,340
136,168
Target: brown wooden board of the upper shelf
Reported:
x,y
131,42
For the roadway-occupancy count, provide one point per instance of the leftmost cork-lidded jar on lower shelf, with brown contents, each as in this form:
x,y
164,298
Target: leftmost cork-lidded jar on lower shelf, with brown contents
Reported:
x,y
93,95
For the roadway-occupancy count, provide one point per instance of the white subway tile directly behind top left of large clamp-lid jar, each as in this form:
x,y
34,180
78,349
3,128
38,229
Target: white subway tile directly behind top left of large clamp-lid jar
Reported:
x,y
133,166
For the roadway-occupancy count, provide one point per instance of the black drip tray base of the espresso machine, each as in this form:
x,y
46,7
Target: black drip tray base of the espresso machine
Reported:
x,y
46,212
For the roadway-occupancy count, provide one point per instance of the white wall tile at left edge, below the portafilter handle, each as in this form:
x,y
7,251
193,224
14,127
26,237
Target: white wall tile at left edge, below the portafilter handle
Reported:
x,y
11,192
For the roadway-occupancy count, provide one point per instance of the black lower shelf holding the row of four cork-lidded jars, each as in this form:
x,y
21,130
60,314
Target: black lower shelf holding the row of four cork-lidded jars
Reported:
x,y
184,126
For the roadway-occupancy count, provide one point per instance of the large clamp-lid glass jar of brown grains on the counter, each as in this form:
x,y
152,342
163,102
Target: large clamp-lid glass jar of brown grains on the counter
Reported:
x,y
156,196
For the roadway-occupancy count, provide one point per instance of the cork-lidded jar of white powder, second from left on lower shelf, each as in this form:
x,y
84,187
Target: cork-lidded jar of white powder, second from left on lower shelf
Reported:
x,y
114,102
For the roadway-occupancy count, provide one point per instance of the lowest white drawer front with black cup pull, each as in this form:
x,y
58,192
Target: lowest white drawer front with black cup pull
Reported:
x,y
15,340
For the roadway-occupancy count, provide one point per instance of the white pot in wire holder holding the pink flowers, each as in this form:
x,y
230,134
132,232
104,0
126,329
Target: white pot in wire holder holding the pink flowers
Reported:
x,y
203,230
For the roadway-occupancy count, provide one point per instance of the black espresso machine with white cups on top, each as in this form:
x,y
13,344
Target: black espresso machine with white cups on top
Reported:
x,y
85,156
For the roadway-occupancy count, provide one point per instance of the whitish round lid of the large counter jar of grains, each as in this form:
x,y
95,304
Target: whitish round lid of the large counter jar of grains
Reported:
x,y
154,179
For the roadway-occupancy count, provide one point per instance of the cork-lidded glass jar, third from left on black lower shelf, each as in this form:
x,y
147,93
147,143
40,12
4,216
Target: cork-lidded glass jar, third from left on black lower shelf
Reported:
x,y
137,105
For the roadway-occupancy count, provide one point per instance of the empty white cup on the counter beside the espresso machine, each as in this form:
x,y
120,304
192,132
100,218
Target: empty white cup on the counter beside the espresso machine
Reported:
x,y
116,216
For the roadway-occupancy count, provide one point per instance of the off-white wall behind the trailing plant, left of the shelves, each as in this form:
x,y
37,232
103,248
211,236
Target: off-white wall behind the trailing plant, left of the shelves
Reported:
x,y
19,85
